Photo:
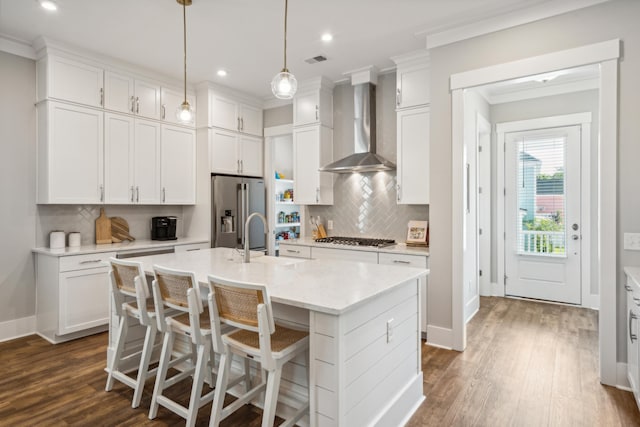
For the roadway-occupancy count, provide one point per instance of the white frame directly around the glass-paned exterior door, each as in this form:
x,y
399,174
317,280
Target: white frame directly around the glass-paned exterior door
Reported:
x,y
578,119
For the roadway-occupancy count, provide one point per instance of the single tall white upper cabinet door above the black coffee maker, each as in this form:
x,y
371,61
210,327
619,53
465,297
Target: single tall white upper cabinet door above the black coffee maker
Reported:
x,y
178,165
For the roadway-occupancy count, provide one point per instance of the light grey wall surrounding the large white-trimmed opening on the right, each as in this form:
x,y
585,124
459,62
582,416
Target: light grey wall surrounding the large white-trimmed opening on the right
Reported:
x,y
615,19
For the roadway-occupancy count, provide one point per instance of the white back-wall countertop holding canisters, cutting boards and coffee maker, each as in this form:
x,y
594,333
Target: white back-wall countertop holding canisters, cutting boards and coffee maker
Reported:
x,y
119,247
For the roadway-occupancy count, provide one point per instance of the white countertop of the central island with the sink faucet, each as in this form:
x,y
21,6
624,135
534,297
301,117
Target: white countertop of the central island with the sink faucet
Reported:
x,y
327,286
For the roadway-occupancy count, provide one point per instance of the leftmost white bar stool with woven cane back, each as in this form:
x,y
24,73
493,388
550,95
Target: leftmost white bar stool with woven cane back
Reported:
x,y
128,280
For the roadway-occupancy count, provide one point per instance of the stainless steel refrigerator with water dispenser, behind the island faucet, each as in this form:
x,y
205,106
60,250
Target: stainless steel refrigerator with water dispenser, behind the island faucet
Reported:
x,y
234,199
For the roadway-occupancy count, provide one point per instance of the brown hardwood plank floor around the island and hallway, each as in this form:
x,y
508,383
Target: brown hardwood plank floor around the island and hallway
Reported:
x,y
527,364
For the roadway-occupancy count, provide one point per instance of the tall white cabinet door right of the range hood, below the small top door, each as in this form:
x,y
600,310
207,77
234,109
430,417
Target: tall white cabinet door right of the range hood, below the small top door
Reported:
x,y
413,156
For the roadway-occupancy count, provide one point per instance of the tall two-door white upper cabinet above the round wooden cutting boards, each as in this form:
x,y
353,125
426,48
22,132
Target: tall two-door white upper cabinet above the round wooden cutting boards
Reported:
x,y
132,160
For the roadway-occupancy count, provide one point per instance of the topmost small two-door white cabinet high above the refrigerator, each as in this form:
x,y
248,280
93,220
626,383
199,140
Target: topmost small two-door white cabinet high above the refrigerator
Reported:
x,y
227,113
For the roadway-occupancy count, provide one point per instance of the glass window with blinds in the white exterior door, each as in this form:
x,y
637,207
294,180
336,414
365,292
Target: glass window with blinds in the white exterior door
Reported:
x,y
541,190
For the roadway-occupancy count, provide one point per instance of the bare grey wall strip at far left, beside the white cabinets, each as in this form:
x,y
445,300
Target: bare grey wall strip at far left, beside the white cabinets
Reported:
x,y
17,186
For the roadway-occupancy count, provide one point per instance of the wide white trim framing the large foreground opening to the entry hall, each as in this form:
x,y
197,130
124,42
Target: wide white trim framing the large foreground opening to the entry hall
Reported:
x,y
606,54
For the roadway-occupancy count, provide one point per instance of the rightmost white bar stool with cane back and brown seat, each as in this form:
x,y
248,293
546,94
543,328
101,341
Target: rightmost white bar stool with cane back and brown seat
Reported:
x,y
247,306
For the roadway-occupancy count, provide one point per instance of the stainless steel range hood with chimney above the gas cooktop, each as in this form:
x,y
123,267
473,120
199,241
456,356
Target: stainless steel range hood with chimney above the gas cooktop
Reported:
x,y
364,158
